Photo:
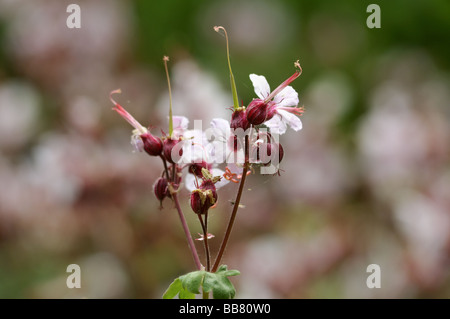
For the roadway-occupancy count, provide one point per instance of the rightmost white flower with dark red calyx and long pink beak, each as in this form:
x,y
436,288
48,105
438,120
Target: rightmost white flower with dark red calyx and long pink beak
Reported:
x,y
276,109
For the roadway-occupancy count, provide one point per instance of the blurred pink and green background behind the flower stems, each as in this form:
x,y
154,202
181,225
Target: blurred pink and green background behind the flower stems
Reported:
x,y
367,180
